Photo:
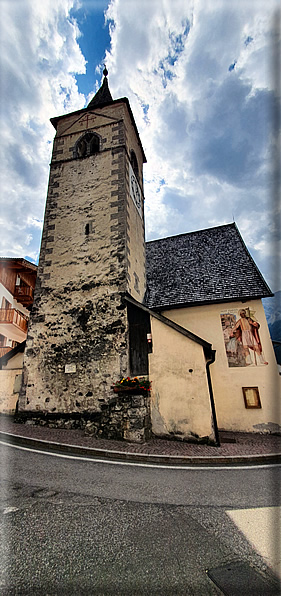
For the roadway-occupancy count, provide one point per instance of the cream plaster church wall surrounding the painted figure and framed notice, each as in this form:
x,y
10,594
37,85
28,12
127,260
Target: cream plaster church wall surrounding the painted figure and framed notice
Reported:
x,y
228,382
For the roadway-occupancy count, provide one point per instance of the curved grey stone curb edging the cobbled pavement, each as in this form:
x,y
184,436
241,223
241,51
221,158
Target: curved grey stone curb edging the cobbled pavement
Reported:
x,y
145,458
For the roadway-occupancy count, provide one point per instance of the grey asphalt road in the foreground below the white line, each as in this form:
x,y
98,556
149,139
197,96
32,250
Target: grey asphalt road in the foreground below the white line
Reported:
x,y
79,527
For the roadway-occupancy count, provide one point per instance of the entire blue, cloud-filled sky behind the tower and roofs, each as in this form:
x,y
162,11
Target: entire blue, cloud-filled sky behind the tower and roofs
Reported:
x,y
203,81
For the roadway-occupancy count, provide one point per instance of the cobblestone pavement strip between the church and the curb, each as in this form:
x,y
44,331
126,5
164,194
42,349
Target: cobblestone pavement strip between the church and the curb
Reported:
x,y
233,444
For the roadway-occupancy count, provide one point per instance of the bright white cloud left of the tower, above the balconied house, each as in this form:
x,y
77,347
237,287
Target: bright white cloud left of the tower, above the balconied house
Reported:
x,y
39,56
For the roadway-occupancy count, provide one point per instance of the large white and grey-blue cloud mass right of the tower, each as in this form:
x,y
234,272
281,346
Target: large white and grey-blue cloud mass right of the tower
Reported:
x,y
209,132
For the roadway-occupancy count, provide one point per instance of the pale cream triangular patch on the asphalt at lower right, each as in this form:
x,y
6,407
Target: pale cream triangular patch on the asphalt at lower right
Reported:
x,y
262,528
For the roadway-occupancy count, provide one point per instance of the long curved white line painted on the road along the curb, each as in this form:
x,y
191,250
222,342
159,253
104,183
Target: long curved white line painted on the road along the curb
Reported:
x,y
142,465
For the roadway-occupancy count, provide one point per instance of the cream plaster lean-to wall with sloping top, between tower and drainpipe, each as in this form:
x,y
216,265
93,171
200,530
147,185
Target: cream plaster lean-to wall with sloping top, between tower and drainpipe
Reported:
x,y
180,402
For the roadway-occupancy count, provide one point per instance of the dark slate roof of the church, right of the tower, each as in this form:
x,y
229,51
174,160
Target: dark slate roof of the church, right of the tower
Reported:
x,y
202,267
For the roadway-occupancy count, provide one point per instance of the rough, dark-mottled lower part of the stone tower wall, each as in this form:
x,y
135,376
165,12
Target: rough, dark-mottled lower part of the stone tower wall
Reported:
x,y
74,355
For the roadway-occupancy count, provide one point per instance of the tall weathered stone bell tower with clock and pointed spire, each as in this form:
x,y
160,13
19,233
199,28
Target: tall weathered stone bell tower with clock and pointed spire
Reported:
x,y
92,255
